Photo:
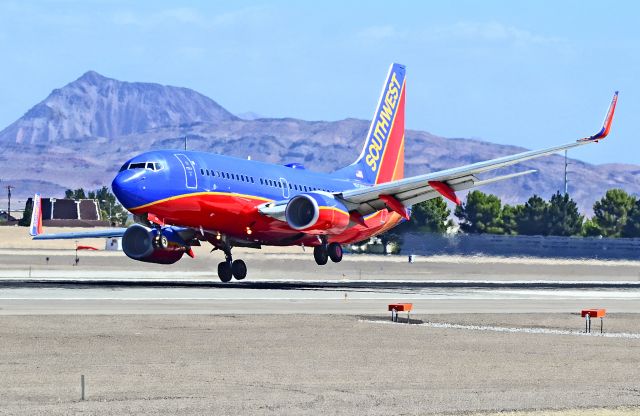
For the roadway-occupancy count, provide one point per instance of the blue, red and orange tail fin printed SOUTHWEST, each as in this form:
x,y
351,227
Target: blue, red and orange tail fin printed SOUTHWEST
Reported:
x,y
382,158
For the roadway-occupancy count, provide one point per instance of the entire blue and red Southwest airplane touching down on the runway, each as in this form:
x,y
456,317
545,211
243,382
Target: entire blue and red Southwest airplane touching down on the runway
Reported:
x,y
181,198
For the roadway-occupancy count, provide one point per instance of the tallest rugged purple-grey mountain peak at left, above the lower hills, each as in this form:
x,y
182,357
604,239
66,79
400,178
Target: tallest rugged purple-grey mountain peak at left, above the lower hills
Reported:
x,y
97,106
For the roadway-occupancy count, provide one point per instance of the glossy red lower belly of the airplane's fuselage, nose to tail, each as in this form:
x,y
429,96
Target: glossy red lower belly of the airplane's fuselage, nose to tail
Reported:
x,y
237,216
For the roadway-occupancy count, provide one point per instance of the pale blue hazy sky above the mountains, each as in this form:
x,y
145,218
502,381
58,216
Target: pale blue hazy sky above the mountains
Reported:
x,y
527,73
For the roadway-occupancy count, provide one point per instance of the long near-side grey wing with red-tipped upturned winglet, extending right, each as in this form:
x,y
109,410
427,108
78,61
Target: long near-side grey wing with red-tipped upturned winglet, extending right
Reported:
x,y
396,195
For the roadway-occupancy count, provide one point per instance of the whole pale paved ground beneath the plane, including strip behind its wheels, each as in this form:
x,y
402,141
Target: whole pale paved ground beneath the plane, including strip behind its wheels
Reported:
x,y
289,283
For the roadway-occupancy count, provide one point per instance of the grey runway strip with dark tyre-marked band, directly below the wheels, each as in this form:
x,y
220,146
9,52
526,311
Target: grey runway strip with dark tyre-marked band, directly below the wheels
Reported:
x,y
169,296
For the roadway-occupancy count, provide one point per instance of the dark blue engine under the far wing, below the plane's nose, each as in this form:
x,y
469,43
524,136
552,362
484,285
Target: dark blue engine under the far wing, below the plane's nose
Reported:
x,y
138,244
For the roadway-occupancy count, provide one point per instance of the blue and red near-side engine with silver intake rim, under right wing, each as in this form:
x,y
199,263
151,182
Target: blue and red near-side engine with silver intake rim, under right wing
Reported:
x,y
317,213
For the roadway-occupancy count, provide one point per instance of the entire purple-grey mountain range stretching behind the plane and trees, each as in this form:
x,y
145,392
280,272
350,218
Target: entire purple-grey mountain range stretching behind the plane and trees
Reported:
x,y
81,134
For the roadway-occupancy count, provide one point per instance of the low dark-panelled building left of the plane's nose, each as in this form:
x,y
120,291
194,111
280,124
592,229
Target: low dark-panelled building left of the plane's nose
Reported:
x,y
60,212
